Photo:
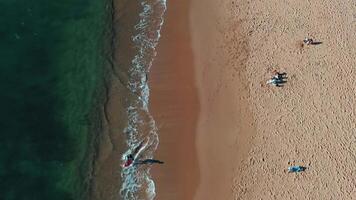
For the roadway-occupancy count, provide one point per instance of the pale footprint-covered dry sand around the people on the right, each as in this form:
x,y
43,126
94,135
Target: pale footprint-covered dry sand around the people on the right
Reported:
x,y
311,121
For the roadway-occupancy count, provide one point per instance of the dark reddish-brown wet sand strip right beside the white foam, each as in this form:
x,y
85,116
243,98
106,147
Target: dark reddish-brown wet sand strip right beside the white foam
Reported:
x,y
174,105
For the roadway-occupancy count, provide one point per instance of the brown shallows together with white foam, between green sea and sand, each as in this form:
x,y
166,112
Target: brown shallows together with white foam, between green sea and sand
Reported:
x,y
122,126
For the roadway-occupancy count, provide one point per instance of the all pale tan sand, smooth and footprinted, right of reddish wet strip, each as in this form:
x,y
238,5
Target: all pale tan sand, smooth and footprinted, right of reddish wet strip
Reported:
x,y
310,121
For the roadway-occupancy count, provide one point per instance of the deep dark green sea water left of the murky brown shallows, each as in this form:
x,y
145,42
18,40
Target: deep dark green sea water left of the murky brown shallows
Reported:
x,y
52,71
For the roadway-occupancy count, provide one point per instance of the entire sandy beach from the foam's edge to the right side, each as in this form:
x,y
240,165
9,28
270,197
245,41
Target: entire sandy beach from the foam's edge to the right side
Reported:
x,y
236,139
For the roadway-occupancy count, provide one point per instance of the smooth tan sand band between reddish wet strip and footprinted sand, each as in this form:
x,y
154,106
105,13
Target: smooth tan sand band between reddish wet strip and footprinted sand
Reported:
x,y
226,122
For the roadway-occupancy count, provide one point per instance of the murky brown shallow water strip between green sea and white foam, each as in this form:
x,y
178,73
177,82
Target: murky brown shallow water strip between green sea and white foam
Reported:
x,y
107,179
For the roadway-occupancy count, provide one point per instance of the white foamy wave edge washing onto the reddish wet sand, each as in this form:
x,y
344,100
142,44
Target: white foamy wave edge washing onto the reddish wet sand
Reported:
x,y
137,182
